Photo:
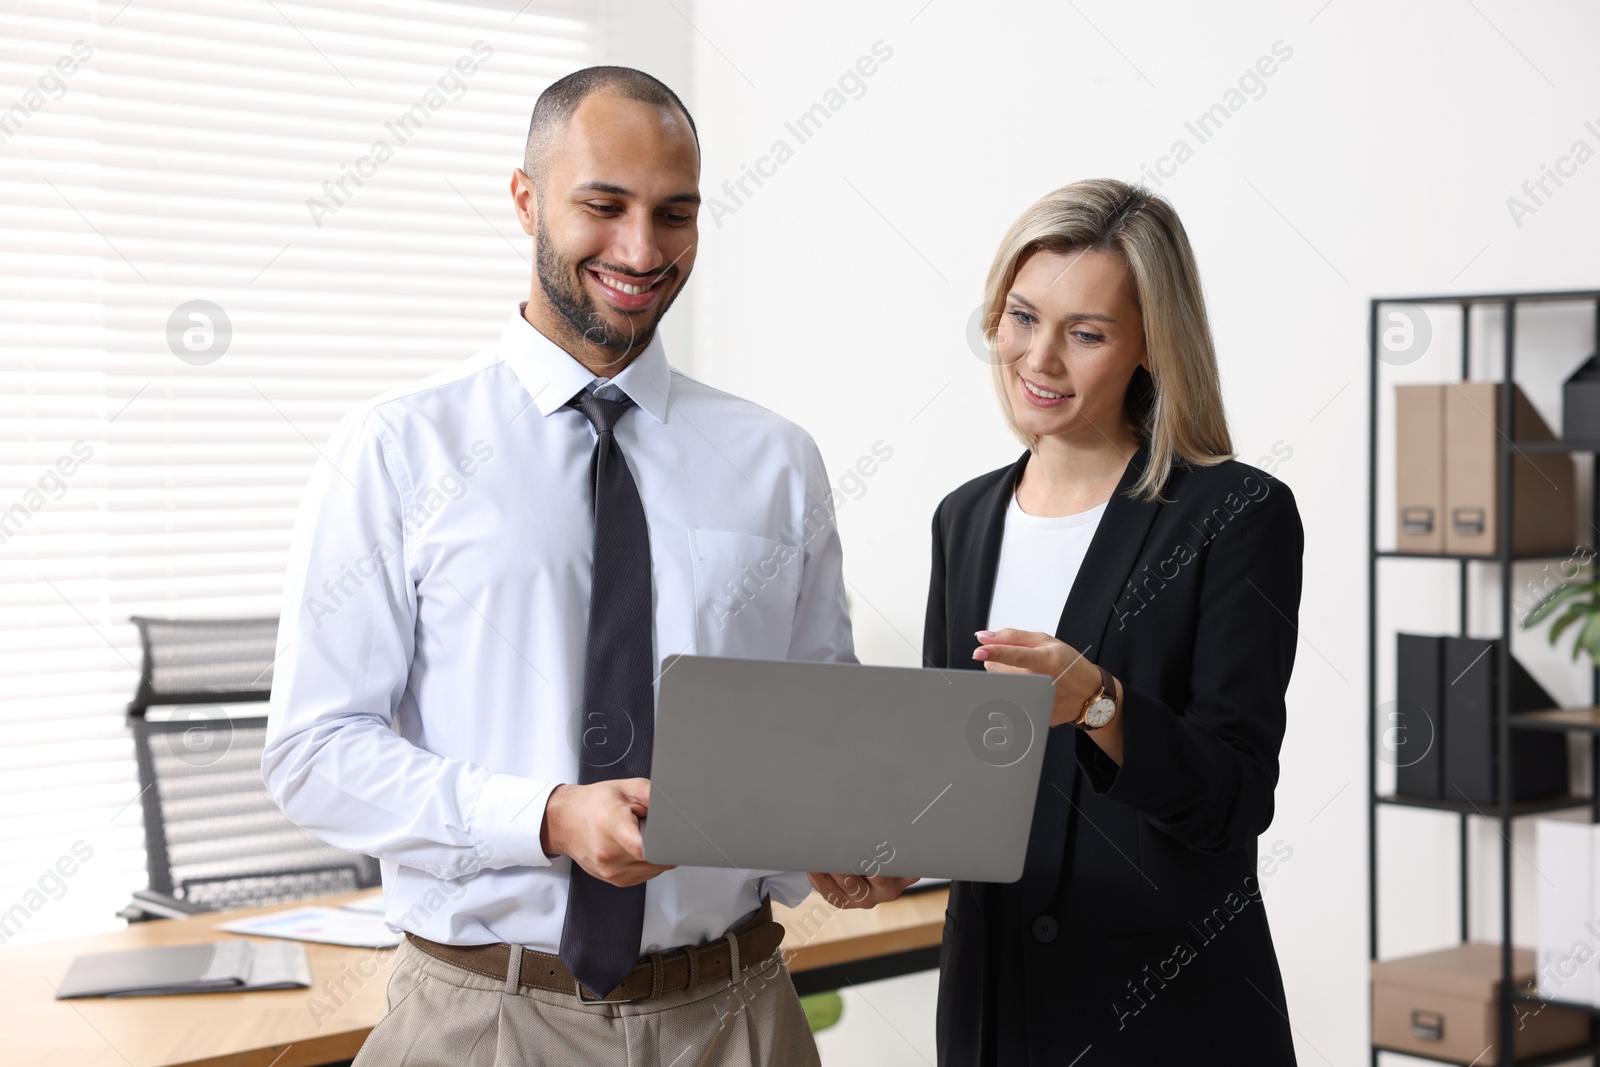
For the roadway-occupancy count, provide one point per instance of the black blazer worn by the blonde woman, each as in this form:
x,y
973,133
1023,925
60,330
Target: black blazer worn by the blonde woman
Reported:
x,y
1137,932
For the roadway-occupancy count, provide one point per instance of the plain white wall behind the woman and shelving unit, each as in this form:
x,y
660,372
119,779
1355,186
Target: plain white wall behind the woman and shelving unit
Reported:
x,y
1377,162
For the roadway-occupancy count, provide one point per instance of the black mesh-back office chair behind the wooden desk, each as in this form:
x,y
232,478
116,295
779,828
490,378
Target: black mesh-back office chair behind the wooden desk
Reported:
x,y
214,837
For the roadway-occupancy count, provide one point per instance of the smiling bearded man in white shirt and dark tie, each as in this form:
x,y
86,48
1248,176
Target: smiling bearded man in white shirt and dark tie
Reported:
x,y
476,706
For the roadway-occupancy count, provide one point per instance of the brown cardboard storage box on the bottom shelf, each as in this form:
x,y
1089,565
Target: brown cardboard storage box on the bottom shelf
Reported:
x,y
1446,1005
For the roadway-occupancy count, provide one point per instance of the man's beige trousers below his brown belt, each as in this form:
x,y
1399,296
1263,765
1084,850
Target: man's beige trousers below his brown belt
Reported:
x,y
442,1015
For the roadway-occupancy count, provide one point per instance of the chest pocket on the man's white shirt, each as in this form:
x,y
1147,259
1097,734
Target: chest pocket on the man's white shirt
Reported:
x,y
746,589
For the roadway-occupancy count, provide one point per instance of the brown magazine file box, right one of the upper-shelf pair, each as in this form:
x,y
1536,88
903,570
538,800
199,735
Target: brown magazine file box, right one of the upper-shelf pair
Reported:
x,y
1543,511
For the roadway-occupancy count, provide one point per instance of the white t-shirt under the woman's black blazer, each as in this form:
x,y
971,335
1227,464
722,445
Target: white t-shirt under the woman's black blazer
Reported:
x,y
1039,562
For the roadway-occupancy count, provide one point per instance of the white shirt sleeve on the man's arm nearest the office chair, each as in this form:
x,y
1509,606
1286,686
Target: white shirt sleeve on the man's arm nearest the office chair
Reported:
x,y
346,639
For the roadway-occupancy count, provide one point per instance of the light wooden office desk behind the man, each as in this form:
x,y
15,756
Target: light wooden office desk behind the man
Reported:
x,y
330,1021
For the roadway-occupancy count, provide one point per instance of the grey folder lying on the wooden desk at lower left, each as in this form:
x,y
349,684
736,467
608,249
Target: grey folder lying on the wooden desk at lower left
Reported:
x,y
222,967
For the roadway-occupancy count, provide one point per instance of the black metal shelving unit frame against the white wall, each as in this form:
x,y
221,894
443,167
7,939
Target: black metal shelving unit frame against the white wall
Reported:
x,y
1506,812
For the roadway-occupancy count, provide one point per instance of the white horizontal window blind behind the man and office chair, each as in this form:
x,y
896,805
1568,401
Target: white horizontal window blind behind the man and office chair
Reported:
x,y
223,226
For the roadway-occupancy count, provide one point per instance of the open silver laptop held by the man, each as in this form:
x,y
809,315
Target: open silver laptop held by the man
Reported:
x,y
844,769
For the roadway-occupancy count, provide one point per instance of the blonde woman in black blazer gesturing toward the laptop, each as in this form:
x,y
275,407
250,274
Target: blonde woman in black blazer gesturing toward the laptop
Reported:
x,y
1130,557
